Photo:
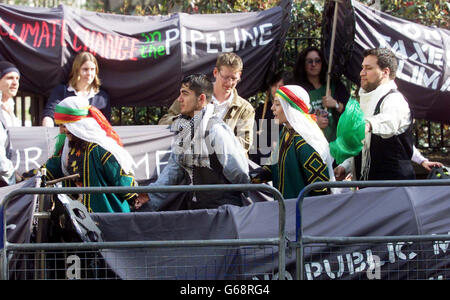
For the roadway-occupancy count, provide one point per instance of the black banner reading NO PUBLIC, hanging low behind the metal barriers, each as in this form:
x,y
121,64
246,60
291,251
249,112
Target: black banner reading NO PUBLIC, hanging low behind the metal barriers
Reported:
x,y
369,212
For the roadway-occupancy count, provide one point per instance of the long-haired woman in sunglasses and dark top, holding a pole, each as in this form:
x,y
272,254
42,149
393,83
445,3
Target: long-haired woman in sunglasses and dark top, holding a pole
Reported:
x,y
310,73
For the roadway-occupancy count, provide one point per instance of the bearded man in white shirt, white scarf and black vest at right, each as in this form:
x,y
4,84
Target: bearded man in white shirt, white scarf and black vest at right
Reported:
x,y
388,143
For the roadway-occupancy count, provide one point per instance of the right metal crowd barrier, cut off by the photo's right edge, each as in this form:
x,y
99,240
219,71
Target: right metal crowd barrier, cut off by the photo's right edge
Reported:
x,y
303,240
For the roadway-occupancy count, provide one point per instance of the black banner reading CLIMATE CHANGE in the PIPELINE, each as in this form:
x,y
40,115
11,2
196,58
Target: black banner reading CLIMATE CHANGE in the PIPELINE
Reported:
x,y
142,59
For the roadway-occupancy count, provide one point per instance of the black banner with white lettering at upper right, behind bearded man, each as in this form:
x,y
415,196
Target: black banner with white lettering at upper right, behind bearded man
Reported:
x,y
423,54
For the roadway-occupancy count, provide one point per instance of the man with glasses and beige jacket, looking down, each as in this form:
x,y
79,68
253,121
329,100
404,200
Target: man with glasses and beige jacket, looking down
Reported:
x,y
237,112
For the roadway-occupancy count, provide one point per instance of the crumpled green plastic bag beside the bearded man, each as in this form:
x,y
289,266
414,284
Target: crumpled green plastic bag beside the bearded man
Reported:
x,y
350,133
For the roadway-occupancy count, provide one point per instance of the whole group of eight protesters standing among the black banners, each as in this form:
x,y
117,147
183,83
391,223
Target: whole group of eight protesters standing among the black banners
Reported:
x,y
214,128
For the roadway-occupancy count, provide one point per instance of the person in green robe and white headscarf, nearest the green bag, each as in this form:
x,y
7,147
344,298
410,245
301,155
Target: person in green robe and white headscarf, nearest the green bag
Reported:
x,y
302,156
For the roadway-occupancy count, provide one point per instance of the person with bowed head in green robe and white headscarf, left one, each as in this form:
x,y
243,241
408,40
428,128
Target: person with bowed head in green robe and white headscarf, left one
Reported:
x,y
96,154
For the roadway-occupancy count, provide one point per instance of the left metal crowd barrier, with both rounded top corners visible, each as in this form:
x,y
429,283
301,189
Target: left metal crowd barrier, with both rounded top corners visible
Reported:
x,y
280,241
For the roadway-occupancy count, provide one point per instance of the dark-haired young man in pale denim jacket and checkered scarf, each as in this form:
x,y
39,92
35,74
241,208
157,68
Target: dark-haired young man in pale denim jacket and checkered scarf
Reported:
x,y
205,151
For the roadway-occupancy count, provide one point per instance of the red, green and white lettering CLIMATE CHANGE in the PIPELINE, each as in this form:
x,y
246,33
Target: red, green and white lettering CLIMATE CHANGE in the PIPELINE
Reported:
x,y
57,33
